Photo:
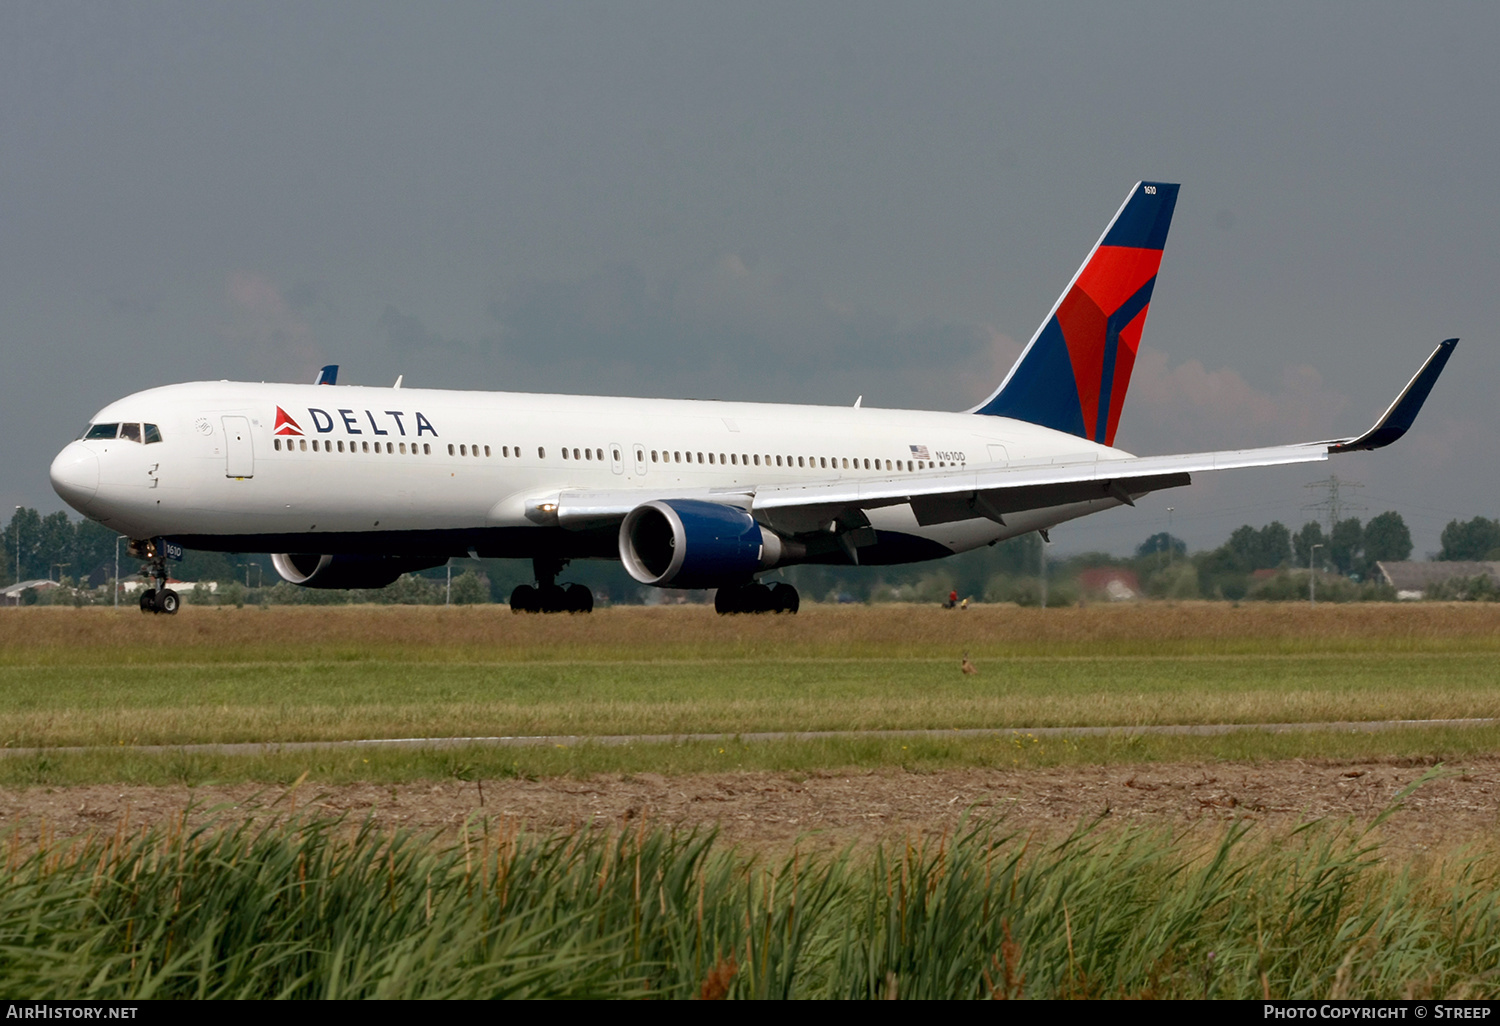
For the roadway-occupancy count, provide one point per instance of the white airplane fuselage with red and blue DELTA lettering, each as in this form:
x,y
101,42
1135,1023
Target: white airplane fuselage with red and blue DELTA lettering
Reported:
x,y
352,461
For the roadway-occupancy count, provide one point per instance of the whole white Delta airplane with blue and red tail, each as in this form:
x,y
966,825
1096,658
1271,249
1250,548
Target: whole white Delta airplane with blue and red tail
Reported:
x,y
355,487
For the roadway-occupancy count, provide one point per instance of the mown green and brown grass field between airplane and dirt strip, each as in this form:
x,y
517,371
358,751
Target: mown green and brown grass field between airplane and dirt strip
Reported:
x,y
103,679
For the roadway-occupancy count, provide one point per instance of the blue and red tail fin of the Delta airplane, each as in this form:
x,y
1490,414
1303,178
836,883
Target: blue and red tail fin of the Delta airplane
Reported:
x,y
1075,373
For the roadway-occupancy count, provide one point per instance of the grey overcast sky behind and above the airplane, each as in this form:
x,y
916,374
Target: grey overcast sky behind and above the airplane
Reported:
x,y
770,202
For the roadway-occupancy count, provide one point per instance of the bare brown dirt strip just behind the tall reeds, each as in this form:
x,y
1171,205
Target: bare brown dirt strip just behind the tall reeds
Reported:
x,y
829,811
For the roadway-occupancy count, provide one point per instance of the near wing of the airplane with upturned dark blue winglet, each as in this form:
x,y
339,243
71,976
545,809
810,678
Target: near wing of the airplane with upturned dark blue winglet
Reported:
x,y
962,494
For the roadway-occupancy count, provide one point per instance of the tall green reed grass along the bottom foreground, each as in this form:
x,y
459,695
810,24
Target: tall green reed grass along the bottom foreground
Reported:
x,y
311,908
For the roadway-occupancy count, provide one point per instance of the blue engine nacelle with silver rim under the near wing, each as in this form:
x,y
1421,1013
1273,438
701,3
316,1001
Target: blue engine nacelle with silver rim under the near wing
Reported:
x,y
694,544
